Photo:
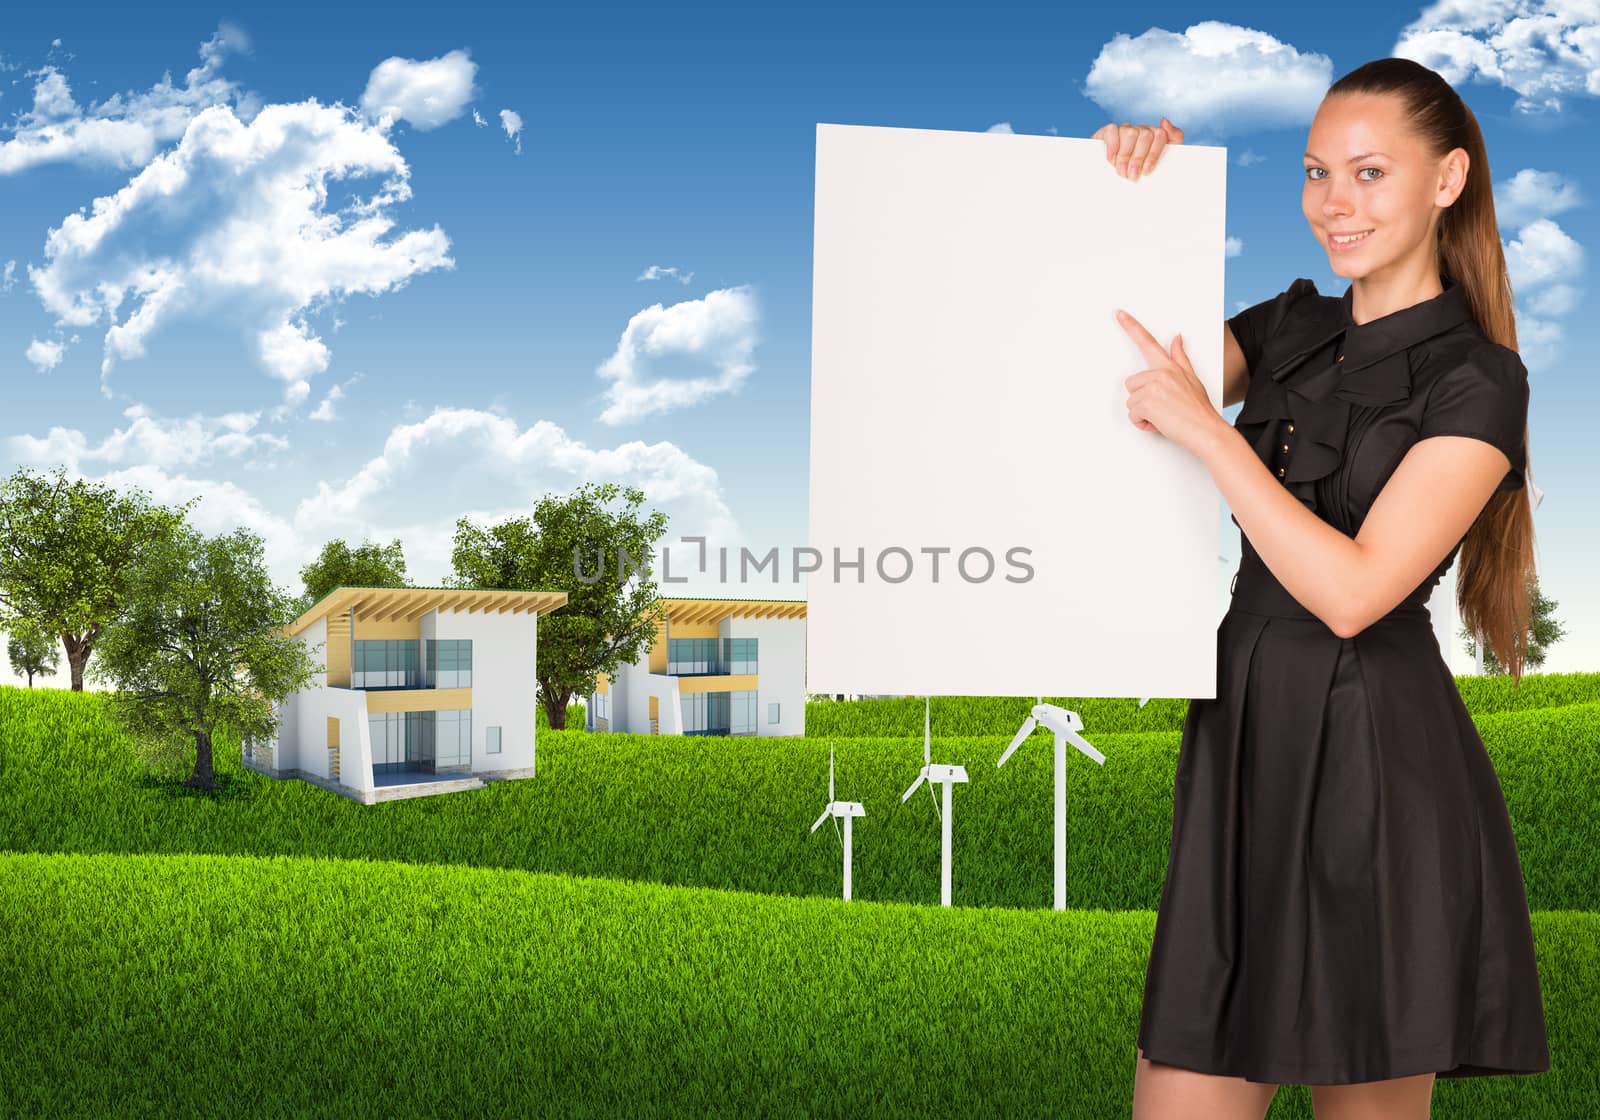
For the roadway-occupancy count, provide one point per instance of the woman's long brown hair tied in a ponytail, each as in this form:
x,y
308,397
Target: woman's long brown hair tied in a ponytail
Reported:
x,y
1495,570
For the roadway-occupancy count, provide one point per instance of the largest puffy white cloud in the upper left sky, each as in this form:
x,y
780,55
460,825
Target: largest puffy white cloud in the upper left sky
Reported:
x,y
234,226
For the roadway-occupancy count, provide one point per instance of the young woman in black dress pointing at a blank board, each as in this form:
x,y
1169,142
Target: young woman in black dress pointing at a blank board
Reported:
x,y
1345,905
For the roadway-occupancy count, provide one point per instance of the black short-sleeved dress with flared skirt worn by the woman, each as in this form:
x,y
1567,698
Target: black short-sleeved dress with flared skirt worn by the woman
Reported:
x,y
1343,898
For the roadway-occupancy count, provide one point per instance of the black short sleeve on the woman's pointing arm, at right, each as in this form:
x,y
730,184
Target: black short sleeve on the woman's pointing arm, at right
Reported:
x,y
1484,398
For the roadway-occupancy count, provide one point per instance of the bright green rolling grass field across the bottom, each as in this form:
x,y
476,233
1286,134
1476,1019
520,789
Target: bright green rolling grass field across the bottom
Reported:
x,y
649,929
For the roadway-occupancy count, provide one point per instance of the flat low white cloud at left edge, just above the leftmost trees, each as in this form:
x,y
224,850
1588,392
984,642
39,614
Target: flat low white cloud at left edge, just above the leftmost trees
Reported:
x,y
151,441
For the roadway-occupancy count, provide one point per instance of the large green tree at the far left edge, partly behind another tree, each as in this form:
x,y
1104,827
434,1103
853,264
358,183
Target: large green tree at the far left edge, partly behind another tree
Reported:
x,y
65,551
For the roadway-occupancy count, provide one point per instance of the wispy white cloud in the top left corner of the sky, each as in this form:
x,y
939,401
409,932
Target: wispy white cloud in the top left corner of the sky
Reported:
x,y
126,130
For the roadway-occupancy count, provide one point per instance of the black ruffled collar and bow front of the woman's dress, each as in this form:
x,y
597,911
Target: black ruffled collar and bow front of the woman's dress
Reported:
x,y
1316,396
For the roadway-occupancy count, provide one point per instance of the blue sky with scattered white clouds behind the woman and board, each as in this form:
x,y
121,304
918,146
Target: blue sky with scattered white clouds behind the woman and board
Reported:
x,y
359,273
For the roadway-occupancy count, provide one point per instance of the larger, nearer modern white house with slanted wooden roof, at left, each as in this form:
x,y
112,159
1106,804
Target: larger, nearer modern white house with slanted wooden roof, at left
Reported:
x,y
426,690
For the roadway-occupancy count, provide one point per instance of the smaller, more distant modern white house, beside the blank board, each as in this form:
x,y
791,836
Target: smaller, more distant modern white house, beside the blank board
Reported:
x,y
718,666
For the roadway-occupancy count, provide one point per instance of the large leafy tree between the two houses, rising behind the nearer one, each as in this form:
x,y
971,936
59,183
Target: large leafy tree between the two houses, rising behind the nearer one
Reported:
x,y
604,623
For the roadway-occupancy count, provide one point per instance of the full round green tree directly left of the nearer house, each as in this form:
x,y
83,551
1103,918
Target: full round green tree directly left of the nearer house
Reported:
x,y
201,649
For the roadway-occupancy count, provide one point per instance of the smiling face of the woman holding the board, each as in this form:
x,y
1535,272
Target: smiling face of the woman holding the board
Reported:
x,y
1367,172
